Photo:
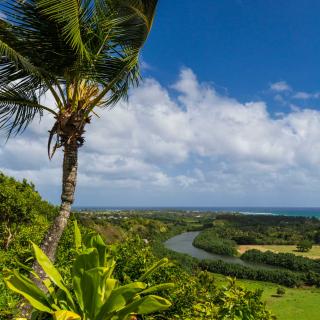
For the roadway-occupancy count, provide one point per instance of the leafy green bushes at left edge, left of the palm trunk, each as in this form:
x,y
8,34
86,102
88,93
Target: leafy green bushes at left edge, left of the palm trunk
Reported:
x,y
24,216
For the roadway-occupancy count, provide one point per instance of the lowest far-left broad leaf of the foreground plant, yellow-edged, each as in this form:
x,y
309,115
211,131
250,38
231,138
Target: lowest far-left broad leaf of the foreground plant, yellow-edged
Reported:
x,y
25,287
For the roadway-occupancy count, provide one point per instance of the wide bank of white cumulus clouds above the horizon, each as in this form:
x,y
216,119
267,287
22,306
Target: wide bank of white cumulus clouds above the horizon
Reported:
x,y
186,143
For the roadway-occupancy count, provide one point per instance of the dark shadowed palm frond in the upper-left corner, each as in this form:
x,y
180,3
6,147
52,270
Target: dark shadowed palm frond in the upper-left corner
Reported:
x,y
37,38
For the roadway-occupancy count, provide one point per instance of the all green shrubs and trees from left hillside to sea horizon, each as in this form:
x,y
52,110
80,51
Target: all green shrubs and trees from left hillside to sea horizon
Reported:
x,y
136,242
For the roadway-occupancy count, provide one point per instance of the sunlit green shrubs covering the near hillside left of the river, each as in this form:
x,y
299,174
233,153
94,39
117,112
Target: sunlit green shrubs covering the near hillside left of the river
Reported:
x,y
195,294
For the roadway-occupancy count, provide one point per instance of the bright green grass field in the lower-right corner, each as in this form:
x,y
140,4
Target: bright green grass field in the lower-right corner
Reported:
x,y
296,304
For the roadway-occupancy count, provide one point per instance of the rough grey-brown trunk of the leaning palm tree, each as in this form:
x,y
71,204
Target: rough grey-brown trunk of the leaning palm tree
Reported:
x,y
69,179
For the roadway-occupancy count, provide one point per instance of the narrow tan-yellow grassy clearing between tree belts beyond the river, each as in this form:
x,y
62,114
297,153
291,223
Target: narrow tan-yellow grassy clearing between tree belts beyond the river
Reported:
x,y
314,253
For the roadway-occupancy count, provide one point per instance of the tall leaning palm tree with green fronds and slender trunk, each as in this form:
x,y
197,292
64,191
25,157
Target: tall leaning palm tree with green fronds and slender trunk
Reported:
x,y
85,53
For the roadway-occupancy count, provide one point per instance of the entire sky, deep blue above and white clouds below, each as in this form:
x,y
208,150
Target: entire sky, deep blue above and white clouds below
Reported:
x,y
227,115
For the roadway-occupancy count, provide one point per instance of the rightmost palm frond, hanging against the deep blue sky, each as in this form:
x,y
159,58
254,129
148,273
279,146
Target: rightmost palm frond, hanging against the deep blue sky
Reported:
x,y
124,27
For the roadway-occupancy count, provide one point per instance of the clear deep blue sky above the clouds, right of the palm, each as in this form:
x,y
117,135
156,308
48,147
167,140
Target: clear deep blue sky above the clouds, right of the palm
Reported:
x,y
239,45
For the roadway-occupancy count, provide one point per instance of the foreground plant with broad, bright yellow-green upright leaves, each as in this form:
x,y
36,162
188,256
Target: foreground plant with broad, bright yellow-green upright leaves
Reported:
x,y
95,294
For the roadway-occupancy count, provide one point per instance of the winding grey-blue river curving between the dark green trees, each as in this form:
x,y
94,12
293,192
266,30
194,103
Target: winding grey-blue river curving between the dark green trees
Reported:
x,y
182,243
